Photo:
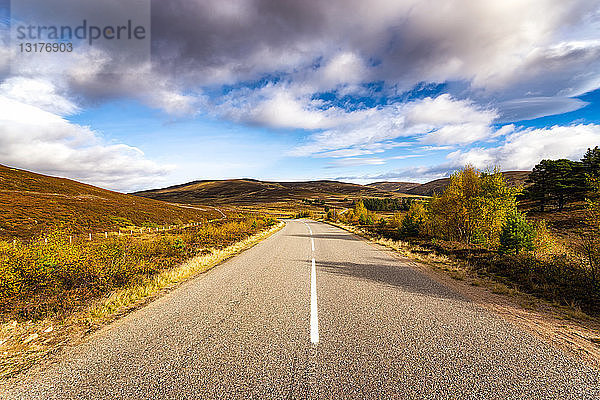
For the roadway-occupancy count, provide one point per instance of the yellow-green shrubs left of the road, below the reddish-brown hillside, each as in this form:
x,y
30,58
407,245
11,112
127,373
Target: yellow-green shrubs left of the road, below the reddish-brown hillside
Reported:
x,y
53,275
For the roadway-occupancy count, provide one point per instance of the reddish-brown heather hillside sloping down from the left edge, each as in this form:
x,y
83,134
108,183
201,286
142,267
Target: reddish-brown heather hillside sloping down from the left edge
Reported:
x,y
31,203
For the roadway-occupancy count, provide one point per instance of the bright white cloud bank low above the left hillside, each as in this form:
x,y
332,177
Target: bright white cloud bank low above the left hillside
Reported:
x,y
38,140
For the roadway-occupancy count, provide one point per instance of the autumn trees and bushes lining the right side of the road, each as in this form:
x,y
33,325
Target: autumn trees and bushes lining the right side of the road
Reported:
x,y
487,225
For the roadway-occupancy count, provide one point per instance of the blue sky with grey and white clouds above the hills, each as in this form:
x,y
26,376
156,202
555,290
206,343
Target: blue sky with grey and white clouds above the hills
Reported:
x,y
398,90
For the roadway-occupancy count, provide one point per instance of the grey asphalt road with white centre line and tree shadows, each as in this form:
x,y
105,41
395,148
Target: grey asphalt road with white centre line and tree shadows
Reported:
x,y
369,328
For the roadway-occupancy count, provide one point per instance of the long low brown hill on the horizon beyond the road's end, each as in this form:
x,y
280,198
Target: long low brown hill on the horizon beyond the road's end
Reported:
x,y
250,191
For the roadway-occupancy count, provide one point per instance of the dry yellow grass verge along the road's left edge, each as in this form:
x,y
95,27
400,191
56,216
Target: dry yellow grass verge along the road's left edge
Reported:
x,y
26,342
